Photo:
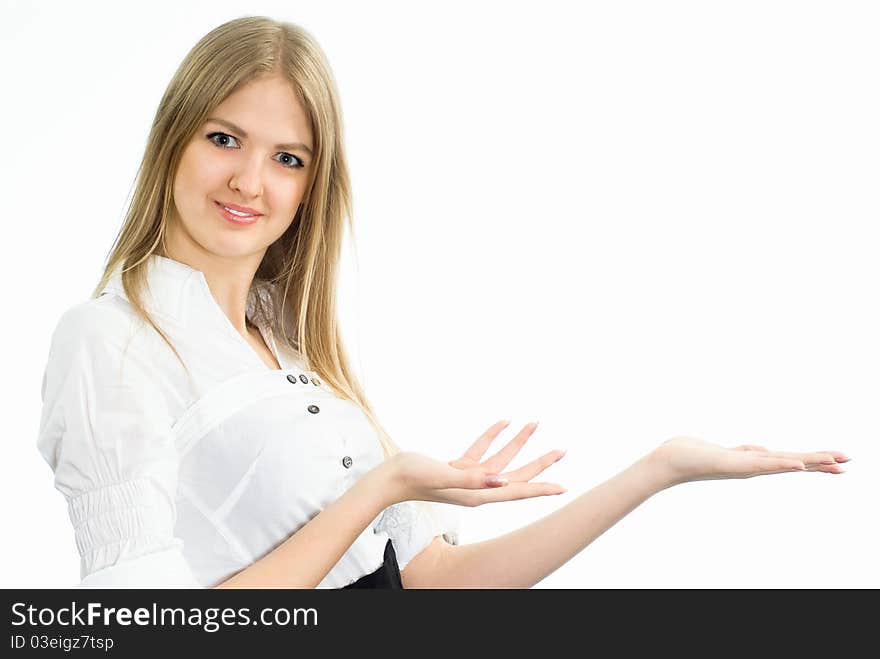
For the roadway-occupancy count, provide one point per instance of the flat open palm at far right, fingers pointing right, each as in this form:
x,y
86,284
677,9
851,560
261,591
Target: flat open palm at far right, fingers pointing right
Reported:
x,y
684,459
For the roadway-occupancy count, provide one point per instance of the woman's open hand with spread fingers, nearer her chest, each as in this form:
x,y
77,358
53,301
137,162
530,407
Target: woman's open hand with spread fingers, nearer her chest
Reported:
x,y
463,481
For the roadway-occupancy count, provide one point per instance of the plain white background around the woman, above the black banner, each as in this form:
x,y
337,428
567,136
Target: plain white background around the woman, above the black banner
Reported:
x,y
624,220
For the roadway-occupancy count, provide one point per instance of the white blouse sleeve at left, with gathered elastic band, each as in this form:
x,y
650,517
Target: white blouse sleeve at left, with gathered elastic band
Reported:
x,y
105,430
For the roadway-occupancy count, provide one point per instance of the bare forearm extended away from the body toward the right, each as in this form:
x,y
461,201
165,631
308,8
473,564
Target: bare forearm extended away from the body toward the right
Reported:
x,y
523,557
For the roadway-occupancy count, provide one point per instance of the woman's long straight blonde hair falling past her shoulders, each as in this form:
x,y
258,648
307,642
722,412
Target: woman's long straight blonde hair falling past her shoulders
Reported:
x,y
303,262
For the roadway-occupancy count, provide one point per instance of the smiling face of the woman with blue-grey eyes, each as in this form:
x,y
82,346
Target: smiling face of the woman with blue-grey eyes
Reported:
x,y
254,152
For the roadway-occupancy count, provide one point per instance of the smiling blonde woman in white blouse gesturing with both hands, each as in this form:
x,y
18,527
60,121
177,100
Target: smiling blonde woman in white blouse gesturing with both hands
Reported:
x,y
200,413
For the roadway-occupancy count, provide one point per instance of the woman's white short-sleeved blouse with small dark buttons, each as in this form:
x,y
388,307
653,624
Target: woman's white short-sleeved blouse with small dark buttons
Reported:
x,y
172,482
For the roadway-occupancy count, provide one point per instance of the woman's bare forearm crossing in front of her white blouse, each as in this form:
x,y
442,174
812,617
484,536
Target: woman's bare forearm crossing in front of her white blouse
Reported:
x,y
307,556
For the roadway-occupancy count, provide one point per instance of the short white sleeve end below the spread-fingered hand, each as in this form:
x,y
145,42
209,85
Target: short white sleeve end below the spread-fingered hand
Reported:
x,y
413,525
